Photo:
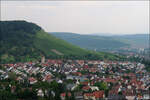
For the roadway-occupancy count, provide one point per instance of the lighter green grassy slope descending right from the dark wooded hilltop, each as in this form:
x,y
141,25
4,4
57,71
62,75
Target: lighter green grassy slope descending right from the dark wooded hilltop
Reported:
x,y
46,42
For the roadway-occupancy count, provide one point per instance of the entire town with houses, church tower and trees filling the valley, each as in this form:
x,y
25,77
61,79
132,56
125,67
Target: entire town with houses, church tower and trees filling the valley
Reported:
x,y
76,80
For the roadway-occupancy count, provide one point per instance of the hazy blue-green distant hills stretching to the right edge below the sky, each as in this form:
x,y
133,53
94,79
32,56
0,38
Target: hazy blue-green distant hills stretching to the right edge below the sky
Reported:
x,y
105,43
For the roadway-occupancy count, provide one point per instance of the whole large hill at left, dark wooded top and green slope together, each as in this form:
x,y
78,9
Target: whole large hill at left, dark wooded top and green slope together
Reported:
x,y
24,41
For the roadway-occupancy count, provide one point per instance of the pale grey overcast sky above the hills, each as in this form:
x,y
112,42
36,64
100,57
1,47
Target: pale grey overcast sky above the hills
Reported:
x,y
83,17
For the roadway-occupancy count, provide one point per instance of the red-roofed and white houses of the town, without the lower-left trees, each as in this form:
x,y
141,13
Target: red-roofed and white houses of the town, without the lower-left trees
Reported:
x,y
124,80
